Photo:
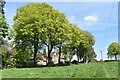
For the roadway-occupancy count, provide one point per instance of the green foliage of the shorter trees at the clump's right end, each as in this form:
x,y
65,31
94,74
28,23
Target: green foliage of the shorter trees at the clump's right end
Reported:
x,y
80,43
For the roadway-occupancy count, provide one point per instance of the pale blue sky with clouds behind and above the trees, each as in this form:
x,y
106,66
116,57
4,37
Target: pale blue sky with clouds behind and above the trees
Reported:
x,y
99,18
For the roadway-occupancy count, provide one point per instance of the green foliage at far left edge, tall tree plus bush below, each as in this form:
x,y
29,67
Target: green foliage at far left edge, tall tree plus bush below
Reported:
x,y
4,48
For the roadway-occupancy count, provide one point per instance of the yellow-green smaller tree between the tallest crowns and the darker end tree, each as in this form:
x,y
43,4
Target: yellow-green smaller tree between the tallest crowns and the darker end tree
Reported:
x,y
76,37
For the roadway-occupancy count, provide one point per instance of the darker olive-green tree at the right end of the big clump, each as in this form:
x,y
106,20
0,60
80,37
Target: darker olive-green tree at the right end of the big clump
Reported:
x,y
85,49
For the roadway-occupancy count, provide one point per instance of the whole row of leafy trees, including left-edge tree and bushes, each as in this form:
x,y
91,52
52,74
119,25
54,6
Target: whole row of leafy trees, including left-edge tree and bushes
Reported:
x,y
38,26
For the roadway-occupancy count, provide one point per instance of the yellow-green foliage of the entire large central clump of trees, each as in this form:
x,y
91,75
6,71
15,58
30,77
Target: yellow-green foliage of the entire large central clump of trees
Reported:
x,y
38,24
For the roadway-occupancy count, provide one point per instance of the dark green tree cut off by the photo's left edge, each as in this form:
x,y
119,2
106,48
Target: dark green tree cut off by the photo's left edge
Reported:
x,y
3,33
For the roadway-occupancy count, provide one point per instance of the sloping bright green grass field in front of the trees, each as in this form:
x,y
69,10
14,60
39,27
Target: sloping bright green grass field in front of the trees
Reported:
x,y
90,70
